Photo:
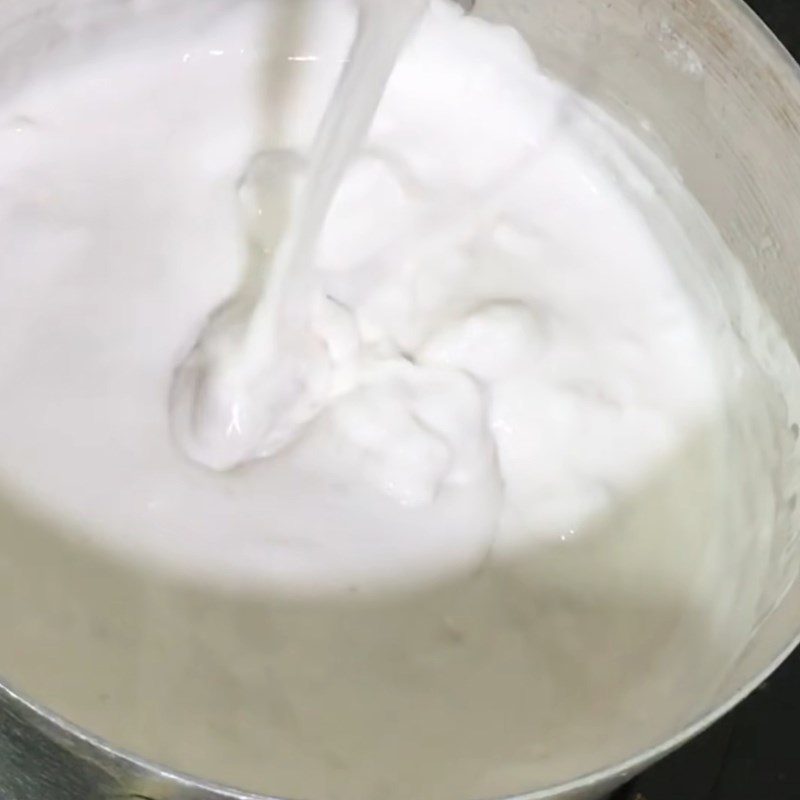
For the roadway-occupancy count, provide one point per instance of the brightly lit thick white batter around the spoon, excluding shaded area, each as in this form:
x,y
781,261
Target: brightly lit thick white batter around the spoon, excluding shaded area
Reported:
x,y
503,359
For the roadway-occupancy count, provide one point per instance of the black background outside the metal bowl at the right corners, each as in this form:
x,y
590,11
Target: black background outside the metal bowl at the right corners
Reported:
x,y
754,753
